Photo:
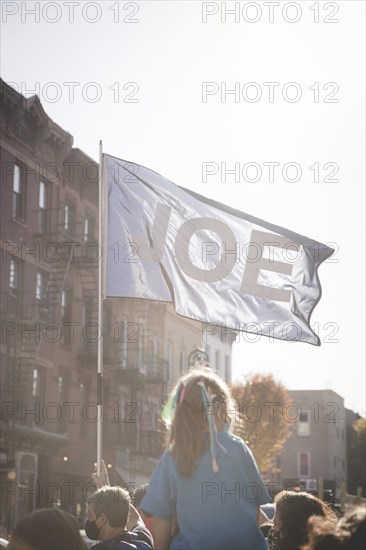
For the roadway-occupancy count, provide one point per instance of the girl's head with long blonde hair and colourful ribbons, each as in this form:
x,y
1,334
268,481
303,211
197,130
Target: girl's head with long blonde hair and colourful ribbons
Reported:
x,y
191,415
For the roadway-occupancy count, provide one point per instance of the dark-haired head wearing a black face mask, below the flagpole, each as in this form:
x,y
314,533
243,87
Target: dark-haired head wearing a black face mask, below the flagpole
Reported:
x,y
108,510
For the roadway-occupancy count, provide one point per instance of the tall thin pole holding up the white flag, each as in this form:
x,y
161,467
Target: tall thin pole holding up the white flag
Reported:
x,y
100,316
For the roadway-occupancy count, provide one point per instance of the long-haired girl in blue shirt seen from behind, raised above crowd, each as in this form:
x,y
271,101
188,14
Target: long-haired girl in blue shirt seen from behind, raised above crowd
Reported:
x,y
207,478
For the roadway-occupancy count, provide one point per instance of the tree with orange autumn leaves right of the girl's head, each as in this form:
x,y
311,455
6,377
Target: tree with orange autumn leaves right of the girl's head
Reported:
x,y
261,421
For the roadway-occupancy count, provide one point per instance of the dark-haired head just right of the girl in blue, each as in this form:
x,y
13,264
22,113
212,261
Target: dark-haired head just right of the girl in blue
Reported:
x,y
293,509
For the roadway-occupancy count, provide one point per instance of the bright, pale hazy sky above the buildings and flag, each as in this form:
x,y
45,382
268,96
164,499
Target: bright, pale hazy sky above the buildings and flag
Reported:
x,y
139,70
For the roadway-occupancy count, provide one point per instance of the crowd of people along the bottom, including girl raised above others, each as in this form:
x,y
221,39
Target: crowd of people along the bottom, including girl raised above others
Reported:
x,y
205,494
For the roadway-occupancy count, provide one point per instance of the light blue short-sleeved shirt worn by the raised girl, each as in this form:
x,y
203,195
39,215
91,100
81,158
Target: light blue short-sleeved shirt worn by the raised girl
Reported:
x,y
214,511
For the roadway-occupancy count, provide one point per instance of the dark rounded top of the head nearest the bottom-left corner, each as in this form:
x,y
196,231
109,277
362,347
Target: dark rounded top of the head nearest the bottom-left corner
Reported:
x,y
47,529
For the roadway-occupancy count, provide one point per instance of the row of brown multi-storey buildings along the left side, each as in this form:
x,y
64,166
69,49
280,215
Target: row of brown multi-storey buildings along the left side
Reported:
x,y
50,330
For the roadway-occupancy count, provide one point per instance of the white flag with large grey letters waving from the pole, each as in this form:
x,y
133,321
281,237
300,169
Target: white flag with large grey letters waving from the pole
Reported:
x,y
218,265
